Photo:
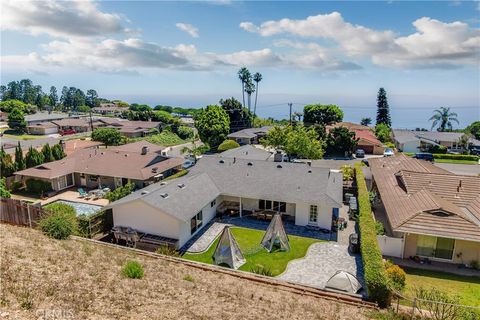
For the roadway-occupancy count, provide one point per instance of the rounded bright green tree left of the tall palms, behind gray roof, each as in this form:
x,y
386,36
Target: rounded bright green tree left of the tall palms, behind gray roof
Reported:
x,y
213,125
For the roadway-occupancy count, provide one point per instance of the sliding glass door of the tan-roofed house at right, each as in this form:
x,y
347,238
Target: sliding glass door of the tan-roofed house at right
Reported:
x,y
435,247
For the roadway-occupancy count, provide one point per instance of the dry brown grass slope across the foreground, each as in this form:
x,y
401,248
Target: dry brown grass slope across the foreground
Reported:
x,y
40,273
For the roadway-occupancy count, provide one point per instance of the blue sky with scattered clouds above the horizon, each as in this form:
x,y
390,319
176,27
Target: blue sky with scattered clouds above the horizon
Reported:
x,y
425,54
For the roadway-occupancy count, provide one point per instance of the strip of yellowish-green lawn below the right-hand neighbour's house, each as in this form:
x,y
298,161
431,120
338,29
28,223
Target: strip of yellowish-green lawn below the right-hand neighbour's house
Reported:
x,y
467,288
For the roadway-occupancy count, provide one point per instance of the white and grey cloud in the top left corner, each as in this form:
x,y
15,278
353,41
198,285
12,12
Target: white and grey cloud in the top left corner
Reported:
x,y
77,18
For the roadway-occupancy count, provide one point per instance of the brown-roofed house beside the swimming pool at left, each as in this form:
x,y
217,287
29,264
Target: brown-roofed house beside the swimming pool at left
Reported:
x,y
141,163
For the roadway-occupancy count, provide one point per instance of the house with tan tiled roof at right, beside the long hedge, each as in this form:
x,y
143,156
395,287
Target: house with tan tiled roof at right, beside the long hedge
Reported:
x,y
434,212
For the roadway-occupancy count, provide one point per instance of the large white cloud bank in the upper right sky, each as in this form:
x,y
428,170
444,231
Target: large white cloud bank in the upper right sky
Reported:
x,y
435,44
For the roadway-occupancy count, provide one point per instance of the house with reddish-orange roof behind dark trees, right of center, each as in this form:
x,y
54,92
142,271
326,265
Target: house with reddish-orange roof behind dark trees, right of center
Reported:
x,y
366,137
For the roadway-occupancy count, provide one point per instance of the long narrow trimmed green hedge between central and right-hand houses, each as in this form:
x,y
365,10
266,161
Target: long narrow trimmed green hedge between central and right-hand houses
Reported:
x,y
376,278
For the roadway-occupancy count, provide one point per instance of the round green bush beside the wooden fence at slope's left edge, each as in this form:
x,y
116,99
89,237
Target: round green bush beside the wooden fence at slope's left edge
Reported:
x,y
61,222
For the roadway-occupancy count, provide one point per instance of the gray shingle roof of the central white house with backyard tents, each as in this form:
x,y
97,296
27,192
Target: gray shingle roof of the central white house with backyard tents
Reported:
x,y
292,182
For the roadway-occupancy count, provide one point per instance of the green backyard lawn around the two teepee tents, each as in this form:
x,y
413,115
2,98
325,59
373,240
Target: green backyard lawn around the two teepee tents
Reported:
x,y
249,242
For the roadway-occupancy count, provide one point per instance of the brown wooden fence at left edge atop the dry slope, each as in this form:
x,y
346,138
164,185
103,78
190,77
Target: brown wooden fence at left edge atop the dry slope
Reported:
x,y
19,212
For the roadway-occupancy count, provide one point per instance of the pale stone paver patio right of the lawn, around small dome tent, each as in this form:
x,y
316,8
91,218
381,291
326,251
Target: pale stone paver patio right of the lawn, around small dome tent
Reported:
x,y
321,262
